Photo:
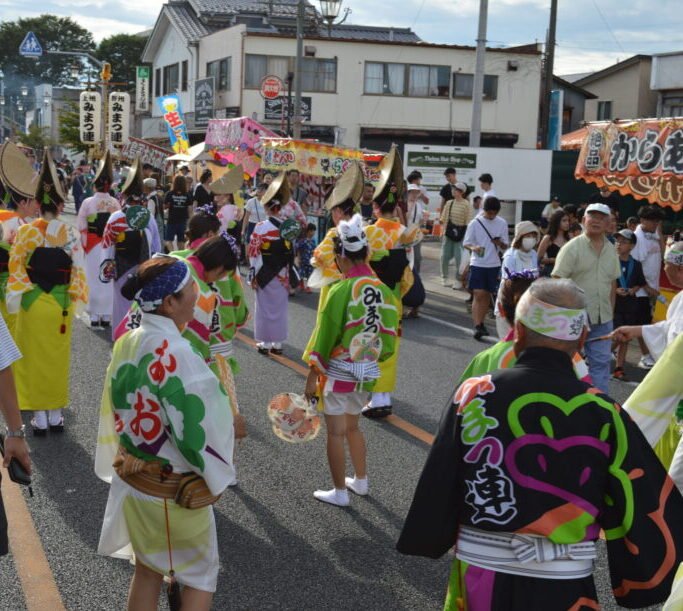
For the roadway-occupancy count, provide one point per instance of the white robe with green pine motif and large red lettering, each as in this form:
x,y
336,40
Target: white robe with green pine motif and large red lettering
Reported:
x,y
161,402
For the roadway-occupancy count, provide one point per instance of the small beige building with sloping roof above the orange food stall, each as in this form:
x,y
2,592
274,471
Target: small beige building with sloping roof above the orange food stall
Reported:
x,y
622,91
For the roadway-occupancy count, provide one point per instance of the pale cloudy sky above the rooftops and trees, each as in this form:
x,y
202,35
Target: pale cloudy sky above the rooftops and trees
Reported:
x,y
591,34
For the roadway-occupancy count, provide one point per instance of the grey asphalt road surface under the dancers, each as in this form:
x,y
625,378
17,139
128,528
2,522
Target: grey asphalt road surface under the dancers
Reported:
x,y
279,548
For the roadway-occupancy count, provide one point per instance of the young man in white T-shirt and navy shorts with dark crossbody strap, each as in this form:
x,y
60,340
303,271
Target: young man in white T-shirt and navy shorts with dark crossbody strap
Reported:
x,y
486,238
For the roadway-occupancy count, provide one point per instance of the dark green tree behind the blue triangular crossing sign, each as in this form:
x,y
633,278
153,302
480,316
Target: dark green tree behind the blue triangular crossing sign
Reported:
x,y
53,33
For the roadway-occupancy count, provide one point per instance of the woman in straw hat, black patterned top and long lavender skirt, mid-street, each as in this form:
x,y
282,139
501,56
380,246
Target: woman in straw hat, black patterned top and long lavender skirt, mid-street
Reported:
x,y
271,256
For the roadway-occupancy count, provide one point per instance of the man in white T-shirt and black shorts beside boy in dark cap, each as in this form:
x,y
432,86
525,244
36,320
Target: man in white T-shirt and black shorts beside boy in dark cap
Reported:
x,y
648,250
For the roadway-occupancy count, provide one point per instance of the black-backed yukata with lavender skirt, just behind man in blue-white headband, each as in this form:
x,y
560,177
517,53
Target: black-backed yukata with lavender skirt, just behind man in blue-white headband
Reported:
x,y
127,248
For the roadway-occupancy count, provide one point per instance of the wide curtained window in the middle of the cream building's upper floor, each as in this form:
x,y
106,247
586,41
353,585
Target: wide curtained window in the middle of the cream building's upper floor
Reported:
x,y
411,80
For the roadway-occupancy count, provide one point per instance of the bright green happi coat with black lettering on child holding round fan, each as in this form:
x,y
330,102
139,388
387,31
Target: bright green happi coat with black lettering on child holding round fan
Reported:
x,y
357,324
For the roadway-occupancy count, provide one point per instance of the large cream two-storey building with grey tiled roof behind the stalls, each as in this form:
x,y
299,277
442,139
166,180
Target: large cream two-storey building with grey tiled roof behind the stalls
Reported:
x,y
363,86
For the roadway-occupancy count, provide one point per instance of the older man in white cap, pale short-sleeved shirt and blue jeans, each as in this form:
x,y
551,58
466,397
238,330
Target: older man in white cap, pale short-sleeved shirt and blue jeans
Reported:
x,y
592,262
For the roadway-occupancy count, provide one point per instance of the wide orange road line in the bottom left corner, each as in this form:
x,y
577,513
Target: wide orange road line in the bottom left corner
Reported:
x,y
37,580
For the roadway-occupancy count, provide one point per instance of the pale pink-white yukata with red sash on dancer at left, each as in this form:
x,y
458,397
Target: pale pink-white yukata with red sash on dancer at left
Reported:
x,y
92,219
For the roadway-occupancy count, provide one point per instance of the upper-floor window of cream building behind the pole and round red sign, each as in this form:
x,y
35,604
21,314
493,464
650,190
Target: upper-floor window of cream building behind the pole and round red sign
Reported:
x,y
317,75
